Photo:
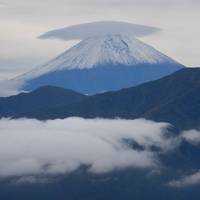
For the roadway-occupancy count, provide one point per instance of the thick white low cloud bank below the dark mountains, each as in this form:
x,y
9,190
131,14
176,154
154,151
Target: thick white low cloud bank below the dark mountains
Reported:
x,y
31,147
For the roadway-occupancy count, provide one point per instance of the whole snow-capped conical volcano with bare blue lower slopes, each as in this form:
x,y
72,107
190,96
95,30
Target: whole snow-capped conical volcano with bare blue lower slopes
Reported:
x,y
101,63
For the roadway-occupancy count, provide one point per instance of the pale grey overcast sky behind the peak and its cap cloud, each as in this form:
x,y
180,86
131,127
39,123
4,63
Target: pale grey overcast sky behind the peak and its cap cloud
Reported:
x,y
21,21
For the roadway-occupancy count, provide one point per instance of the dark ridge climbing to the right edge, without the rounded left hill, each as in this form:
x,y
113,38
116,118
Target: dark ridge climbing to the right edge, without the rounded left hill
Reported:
x,y
159,100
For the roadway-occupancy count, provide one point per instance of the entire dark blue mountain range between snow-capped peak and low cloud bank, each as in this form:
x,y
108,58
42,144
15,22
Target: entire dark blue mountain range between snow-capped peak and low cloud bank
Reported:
x,y
174,99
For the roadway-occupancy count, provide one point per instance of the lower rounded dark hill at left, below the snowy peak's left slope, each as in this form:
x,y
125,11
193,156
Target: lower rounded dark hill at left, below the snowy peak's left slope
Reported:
x,y
47,96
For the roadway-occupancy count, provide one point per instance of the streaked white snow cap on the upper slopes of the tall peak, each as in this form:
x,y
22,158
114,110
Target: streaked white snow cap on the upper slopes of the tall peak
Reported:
x,y
104,50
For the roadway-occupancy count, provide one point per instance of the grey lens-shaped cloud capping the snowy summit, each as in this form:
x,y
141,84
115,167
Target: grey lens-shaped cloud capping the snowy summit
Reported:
x,y
83,31
